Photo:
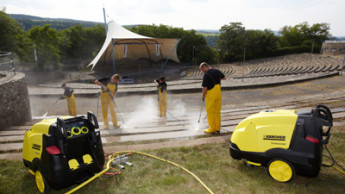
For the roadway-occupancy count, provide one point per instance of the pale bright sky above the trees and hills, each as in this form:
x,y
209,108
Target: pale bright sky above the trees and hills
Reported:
x,y
191,14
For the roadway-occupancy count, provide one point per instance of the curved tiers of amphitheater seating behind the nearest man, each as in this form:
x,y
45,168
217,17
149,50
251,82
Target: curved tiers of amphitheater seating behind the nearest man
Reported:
x,y
277,66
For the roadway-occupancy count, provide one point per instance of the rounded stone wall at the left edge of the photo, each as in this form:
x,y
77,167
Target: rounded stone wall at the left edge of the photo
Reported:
x,y
14,99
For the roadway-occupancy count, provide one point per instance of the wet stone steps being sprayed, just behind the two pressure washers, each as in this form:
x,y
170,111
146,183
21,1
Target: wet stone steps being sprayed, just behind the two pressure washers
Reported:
x,y
181,131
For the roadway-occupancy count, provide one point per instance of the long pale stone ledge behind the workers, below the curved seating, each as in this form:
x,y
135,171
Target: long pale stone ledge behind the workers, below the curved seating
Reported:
x,y
179,86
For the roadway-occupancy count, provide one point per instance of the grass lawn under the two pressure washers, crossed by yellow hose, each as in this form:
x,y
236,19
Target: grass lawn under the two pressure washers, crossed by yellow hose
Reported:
x,y
211,163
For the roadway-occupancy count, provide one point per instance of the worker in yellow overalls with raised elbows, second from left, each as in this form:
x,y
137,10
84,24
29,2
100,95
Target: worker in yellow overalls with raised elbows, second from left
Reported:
x,y
108,91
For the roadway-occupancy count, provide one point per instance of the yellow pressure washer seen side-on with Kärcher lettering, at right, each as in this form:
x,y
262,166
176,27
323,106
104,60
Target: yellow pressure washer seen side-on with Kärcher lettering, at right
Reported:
x,y
284,141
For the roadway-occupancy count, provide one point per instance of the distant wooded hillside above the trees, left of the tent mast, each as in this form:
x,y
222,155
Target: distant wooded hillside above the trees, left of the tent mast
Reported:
x,y
28,22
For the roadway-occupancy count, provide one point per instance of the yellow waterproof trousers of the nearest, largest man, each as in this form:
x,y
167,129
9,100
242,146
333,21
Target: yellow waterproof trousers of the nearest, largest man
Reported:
x,y
213,107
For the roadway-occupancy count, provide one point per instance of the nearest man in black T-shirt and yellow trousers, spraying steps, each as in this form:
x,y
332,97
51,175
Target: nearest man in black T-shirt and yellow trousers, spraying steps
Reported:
x,y
212,92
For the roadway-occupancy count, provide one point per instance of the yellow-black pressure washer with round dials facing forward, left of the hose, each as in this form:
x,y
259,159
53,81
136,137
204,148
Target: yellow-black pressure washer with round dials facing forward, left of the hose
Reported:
x,y
63,151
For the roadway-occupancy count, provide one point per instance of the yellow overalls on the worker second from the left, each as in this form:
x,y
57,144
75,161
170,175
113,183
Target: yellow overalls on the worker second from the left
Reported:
x,y
107,102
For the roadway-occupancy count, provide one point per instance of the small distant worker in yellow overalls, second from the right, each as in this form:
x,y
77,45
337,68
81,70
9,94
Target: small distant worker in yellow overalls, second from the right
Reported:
x,y
162,96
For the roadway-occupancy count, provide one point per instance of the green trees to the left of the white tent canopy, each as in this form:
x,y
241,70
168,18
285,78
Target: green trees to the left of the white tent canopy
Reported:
x,y
71,45
